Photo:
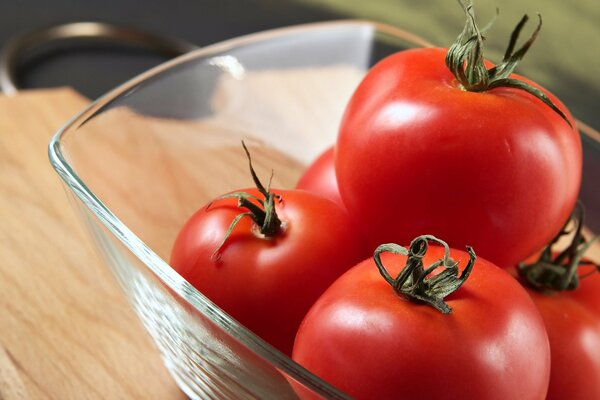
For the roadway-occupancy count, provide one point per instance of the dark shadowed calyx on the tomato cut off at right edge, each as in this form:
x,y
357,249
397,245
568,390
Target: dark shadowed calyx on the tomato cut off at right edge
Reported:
x,y
559,271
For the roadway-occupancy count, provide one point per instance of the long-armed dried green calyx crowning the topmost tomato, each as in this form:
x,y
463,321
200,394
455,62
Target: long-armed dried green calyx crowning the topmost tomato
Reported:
x,y
466,62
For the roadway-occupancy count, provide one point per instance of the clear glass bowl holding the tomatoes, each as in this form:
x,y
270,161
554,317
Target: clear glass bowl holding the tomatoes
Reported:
x,y
140,160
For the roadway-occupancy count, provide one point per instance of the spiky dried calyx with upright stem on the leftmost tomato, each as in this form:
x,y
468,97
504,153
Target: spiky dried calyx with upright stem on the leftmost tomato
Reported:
x,y
261,211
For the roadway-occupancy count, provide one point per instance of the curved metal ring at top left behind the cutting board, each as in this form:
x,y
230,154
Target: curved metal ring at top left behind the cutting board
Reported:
x,y
15,48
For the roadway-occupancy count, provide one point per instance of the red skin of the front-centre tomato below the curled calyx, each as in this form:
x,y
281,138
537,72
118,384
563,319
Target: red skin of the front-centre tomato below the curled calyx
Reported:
x,y
374,344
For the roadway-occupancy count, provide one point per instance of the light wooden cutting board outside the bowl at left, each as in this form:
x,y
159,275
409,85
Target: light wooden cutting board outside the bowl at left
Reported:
x,y
66,330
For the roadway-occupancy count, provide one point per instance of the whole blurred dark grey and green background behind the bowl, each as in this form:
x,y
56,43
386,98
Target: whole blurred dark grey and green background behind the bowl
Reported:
x,y
565,58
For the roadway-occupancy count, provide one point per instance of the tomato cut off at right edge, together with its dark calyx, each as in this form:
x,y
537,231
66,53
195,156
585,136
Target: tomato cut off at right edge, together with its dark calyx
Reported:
x,y
566,289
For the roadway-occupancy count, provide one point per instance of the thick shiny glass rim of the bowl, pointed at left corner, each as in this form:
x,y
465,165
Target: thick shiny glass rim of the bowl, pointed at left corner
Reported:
x,y
157,266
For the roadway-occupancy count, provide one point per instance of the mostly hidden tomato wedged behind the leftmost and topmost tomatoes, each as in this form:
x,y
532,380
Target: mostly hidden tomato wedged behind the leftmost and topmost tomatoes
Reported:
x,y
320,178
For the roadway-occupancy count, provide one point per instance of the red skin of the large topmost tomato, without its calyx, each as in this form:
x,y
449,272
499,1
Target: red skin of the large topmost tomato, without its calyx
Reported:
x,y
496,170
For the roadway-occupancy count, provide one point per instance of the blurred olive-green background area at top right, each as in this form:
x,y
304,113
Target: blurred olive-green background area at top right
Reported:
x,y
565,57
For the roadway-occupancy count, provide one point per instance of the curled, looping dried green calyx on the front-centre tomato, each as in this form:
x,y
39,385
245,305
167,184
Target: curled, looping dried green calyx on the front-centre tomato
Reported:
x,y
414,281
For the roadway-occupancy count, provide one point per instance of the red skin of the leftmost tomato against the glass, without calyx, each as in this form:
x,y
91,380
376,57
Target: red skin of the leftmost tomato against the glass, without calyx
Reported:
x,y
268,284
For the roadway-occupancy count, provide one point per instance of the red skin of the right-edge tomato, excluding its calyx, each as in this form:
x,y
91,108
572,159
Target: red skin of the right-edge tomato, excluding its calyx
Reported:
x,y
572,320
